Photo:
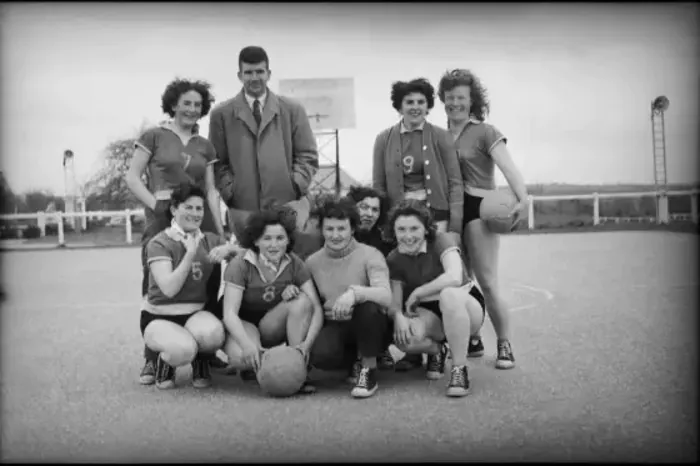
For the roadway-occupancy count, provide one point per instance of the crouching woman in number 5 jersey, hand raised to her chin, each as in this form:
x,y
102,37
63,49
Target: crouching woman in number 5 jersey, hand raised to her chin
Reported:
x,y
180,260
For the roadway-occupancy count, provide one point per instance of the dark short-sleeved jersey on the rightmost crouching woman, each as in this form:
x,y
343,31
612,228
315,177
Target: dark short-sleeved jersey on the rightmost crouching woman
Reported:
x,y
414,271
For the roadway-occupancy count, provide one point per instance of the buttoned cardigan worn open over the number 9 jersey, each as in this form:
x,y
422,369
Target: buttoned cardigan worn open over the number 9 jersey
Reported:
x,y
441,171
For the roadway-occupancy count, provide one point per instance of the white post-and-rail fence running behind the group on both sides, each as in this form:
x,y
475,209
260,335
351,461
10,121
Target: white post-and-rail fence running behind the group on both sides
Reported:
x,y
662,212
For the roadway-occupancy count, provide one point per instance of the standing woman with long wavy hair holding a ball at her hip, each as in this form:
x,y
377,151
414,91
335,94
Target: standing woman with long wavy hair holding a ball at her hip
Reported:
x,y
481,148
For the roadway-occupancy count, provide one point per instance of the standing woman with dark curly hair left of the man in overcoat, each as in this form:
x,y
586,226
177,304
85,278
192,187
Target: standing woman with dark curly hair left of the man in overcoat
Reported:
x,y
168,155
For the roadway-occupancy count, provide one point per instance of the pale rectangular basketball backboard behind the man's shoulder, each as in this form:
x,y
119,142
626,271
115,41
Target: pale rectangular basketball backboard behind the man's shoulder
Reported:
x,y
329,103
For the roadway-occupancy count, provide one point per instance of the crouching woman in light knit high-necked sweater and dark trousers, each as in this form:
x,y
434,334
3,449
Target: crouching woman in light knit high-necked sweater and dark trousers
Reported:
x,y
353,283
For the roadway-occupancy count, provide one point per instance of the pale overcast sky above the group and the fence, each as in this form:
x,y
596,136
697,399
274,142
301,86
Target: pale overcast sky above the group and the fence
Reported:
x,y
570,85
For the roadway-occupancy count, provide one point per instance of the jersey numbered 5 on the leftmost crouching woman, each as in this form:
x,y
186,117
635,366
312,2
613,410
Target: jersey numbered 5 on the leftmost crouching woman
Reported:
x,y
166,246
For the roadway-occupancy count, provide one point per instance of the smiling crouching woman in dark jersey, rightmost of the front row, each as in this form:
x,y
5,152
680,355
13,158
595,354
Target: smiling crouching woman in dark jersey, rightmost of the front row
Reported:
x,y
433,299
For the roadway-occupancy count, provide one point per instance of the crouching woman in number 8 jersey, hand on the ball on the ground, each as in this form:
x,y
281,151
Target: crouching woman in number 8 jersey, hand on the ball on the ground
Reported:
x,y
269,296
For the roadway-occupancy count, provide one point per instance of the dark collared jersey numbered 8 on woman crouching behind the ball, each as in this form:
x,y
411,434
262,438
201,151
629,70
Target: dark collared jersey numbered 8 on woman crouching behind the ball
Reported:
x,y
259,294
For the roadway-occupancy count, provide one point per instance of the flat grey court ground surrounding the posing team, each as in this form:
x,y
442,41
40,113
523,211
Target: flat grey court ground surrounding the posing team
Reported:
x,y
604,335
